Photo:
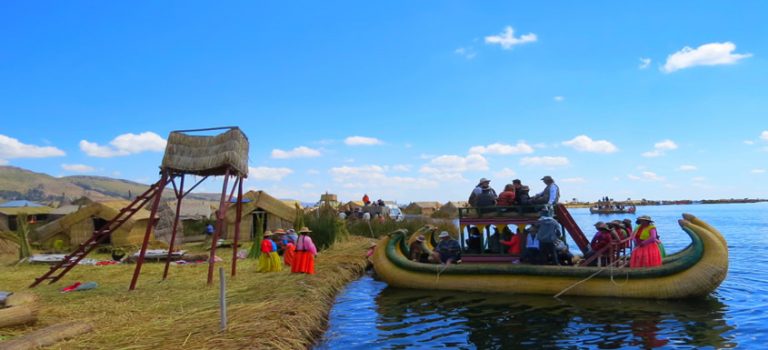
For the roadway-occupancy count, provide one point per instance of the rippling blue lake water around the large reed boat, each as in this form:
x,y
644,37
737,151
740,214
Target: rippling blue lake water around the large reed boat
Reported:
x,y
368,314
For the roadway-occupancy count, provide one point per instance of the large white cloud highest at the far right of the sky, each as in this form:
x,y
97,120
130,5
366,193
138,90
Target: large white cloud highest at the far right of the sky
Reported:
x,y
705,55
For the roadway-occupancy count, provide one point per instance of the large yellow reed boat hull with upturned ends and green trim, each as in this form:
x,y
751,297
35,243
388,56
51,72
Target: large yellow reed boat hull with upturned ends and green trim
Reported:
x,y
692,272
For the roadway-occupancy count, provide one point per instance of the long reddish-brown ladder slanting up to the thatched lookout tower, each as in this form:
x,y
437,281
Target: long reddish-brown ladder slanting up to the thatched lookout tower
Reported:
x,y
58,270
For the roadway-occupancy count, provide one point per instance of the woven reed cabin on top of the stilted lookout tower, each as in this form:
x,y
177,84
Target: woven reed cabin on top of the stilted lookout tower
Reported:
x,y
207,155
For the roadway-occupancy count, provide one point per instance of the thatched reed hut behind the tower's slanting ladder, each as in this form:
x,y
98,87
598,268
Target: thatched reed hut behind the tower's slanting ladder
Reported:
x,y
77,227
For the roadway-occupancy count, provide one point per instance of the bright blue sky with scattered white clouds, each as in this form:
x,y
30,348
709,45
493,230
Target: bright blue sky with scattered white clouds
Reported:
x,y
403,100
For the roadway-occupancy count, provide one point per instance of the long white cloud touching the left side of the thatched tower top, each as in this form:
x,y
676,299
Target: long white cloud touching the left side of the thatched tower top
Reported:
x,y
124,145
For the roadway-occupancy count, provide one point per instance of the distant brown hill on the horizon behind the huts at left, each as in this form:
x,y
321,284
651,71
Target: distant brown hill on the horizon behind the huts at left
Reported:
x,y
18,183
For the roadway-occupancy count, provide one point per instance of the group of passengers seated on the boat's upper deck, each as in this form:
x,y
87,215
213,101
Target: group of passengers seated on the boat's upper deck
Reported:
x,y
483,195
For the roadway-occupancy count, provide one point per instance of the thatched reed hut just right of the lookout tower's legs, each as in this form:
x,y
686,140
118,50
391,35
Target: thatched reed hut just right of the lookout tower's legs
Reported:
x,y
276,214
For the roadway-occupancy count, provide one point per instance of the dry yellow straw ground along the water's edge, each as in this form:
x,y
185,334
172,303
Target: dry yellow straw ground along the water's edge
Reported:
x,y
266,310
